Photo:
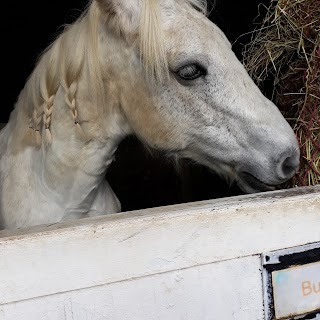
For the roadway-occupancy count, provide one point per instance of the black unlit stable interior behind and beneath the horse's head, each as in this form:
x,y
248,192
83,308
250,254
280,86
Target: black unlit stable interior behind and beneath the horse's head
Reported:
x,y
147,180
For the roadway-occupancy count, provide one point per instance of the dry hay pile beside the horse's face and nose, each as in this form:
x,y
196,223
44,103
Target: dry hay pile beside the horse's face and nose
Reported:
x,y
285,51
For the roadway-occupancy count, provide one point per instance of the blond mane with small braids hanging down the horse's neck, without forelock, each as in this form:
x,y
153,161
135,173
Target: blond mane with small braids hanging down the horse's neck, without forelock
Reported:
x,y
60,64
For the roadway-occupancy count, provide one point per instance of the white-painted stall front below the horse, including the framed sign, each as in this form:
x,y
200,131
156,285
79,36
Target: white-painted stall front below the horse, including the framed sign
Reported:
x,y
248,257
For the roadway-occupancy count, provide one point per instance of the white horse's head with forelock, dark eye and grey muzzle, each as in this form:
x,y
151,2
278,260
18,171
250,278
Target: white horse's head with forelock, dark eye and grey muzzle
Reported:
x,y
184,91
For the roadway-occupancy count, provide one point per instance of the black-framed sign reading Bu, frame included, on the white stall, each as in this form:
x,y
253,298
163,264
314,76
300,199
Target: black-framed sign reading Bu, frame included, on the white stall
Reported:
x,y
291,283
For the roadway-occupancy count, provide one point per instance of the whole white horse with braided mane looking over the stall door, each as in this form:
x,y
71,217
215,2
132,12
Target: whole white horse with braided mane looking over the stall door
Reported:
x,y
158,69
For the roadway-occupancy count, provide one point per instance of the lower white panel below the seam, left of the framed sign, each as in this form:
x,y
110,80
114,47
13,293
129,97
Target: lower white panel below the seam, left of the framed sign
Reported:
x,y
199,293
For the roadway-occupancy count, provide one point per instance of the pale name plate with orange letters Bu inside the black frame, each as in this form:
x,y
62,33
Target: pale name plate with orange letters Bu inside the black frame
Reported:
x,y
296,290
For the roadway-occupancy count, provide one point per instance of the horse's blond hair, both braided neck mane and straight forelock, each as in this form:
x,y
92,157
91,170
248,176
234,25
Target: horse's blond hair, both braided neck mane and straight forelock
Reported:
x,y
60,64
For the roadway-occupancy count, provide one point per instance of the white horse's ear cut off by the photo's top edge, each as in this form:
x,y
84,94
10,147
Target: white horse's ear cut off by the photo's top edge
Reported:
x,y
124,14
